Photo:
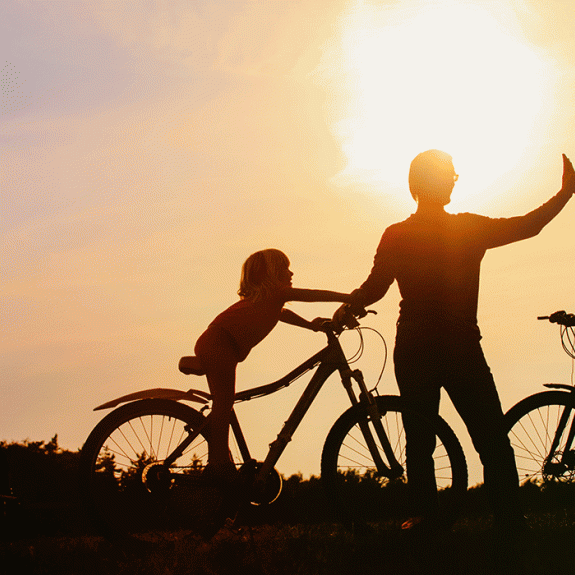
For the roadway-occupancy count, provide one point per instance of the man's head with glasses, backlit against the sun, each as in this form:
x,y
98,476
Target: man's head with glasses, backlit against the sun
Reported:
x,y
432,177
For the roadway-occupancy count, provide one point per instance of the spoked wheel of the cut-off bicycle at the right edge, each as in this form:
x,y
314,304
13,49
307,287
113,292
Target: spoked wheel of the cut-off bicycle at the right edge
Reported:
x,y
532,425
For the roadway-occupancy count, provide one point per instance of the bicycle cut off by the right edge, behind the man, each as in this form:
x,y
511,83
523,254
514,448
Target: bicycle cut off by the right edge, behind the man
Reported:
x,y
541,427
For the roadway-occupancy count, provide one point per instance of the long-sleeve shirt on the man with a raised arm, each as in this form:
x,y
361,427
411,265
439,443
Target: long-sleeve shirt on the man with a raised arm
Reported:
x,y
436,262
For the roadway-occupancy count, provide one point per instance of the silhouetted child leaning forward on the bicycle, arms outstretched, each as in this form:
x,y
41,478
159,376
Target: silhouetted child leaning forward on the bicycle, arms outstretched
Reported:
x,y
265,287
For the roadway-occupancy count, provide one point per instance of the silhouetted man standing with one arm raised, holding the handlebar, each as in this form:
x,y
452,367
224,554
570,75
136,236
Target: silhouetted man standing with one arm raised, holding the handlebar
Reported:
x,y
435,258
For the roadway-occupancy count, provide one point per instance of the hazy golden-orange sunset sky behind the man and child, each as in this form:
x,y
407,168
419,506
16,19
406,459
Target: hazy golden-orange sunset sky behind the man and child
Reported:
x,y
147,148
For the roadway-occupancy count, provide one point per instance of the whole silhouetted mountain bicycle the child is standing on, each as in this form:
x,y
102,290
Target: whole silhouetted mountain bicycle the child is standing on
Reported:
x,y
141,467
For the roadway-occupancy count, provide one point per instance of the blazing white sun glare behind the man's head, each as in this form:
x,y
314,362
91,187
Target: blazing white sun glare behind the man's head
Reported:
x,y
446,76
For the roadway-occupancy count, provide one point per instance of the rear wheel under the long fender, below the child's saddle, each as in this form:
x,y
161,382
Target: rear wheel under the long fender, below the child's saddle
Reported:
x,y
124,485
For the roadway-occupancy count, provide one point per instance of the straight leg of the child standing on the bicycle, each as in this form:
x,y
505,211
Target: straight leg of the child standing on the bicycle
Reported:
x,y
219,358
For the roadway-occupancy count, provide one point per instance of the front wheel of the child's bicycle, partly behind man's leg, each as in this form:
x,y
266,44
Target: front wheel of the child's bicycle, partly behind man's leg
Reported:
x,y
349,475
